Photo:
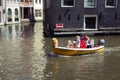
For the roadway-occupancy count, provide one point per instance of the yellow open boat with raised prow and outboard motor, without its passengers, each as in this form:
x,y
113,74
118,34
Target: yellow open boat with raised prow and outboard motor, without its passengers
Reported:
x,y
76,51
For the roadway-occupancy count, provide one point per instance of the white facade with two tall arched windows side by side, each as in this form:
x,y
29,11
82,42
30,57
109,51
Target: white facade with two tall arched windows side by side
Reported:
x,y
12,11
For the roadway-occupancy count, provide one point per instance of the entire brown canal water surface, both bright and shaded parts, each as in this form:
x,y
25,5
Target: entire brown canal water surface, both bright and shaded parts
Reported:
x,y
24,50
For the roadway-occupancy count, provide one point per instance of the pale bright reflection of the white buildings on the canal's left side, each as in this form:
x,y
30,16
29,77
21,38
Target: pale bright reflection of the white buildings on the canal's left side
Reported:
x,y
21,52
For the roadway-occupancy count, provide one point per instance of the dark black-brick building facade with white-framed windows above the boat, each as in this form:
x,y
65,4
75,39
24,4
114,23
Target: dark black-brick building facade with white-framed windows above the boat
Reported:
x,y
82,15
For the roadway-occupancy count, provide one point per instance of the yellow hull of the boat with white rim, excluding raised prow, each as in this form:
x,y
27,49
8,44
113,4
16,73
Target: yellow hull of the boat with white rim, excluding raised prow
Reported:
x,y
76,51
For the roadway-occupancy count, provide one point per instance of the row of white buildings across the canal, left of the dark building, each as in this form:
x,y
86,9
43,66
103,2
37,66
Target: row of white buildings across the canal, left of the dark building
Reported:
x,y
16,11
